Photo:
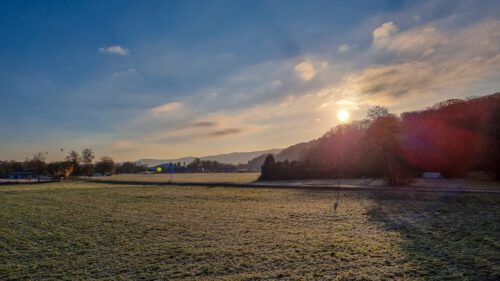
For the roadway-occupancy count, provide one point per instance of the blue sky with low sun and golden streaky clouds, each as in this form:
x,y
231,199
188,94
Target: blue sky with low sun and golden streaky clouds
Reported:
x,y
167,79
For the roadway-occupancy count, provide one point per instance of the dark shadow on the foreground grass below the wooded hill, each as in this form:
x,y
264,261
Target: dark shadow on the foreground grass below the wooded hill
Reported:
x,y
450,236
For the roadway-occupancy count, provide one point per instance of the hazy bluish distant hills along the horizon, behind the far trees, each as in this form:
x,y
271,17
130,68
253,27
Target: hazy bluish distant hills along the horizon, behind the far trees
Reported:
x,y
229,158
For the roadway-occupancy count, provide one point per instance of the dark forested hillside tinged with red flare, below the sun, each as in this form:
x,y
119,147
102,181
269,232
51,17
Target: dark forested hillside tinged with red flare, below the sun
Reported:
x,y
453,137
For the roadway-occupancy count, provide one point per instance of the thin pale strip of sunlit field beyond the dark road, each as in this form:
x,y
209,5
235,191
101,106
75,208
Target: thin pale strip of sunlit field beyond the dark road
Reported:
x,y
185,177
